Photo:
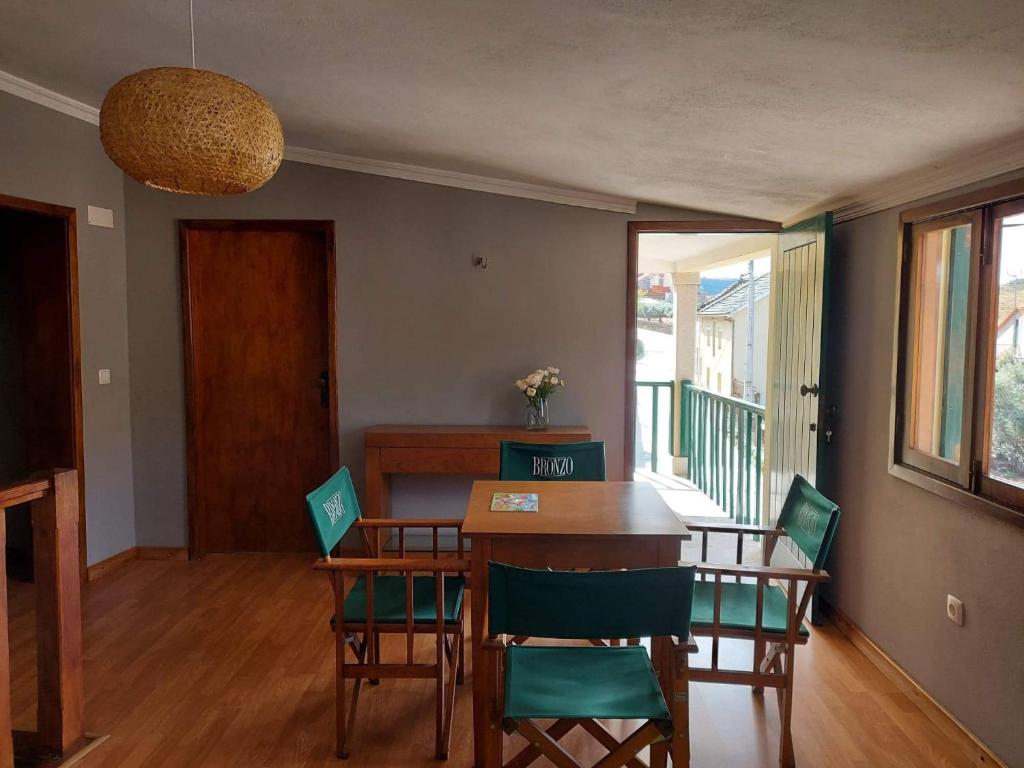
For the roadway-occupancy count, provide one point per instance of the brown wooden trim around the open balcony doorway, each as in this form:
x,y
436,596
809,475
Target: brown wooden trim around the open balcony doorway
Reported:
x,y
635,230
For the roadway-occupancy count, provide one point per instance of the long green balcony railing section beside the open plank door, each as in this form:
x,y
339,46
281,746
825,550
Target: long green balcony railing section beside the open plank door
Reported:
x,y
723,438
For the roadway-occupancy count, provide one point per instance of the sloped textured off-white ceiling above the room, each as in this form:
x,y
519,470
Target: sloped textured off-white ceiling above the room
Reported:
x,y
749,108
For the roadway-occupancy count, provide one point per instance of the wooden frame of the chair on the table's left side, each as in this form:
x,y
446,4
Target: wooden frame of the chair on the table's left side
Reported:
x,y
448,667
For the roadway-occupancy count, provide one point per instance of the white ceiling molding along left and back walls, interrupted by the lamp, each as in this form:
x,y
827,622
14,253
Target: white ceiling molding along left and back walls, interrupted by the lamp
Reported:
x,y
45,97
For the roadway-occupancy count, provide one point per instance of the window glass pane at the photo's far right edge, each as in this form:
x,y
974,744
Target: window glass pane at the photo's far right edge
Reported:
x,y
1007,443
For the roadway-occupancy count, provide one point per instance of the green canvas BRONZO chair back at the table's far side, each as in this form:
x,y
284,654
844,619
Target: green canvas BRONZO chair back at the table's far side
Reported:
x,y
567,461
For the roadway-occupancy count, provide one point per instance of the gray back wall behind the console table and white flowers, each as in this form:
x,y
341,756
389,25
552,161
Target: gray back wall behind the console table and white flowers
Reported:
x,y
423,336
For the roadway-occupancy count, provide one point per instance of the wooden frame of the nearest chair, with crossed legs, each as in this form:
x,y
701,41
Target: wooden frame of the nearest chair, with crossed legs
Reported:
x,y
652,734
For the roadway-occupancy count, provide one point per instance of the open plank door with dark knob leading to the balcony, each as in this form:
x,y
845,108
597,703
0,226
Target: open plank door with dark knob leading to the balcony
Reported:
x,y
797,426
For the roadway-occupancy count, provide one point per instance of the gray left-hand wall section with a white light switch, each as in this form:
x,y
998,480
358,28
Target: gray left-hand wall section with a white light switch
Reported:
x,y
58,159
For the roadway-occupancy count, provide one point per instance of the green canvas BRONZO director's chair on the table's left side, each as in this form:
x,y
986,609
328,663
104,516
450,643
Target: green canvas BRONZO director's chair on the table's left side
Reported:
x,y
405,595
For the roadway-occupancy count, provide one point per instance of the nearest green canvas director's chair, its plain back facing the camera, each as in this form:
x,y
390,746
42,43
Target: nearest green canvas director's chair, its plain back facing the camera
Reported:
x,y
579,686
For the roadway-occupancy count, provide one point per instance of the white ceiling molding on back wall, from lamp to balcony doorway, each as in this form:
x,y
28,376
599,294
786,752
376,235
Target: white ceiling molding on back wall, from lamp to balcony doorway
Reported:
x,y
461,181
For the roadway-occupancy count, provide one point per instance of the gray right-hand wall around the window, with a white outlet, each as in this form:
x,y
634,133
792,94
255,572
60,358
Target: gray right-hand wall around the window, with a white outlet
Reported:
x,y
902,549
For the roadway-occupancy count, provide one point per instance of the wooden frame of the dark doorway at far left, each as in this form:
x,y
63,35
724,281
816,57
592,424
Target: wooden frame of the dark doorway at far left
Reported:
x,y
70,218
